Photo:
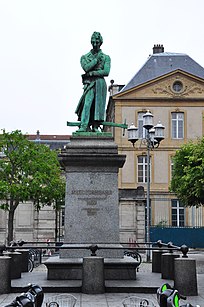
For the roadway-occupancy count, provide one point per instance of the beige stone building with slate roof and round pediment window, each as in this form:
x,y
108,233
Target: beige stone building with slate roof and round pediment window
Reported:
x,y
171,87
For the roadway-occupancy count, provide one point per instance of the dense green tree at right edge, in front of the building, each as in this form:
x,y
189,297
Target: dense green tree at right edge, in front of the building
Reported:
x,y
188,174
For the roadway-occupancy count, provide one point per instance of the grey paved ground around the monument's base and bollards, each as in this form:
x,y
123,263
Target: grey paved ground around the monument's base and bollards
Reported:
x,y
116,291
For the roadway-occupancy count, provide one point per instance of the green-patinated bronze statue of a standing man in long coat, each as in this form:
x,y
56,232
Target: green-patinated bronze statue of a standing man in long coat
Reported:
x,y
91,107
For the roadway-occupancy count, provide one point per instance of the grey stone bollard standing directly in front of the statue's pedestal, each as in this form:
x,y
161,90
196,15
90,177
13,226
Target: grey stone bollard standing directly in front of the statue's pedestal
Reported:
x,y
93,281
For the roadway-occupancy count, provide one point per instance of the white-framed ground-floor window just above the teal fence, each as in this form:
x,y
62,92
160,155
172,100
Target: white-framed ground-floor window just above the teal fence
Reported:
x,y
177,213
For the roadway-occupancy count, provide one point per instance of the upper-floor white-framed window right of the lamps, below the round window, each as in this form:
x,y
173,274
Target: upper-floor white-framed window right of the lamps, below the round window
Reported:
x,y
177,123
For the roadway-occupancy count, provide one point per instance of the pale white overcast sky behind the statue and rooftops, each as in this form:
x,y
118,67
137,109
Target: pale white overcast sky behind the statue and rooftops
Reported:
x,y
41,42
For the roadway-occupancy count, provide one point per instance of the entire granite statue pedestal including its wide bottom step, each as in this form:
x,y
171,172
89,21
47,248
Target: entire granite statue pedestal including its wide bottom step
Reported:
x,y
91,163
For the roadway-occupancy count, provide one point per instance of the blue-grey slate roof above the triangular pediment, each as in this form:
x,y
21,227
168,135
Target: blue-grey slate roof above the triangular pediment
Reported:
x,y
160,64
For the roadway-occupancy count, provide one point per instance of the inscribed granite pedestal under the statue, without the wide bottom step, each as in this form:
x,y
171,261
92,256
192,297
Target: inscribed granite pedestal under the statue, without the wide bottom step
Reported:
x,y
91,205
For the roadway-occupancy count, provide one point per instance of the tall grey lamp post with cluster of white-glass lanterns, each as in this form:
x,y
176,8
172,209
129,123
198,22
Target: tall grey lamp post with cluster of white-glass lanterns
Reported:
x,y
154,135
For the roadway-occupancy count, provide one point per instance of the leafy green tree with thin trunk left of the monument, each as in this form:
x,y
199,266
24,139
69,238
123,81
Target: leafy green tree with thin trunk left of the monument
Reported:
x,y
28,172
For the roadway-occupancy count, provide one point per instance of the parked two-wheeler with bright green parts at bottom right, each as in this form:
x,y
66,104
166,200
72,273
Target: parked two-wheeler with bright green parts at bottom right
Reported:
x,y
167,296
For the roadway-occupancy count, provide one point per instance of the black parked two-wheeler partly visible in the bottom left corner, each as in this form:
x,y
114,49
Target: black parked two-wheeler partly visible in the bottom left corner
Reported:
x,y
32,298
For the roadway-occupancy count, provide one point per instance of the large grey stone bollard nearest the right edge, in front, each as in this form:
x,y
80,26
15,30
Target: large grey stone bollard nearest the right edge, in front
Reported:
x,y
185,278
